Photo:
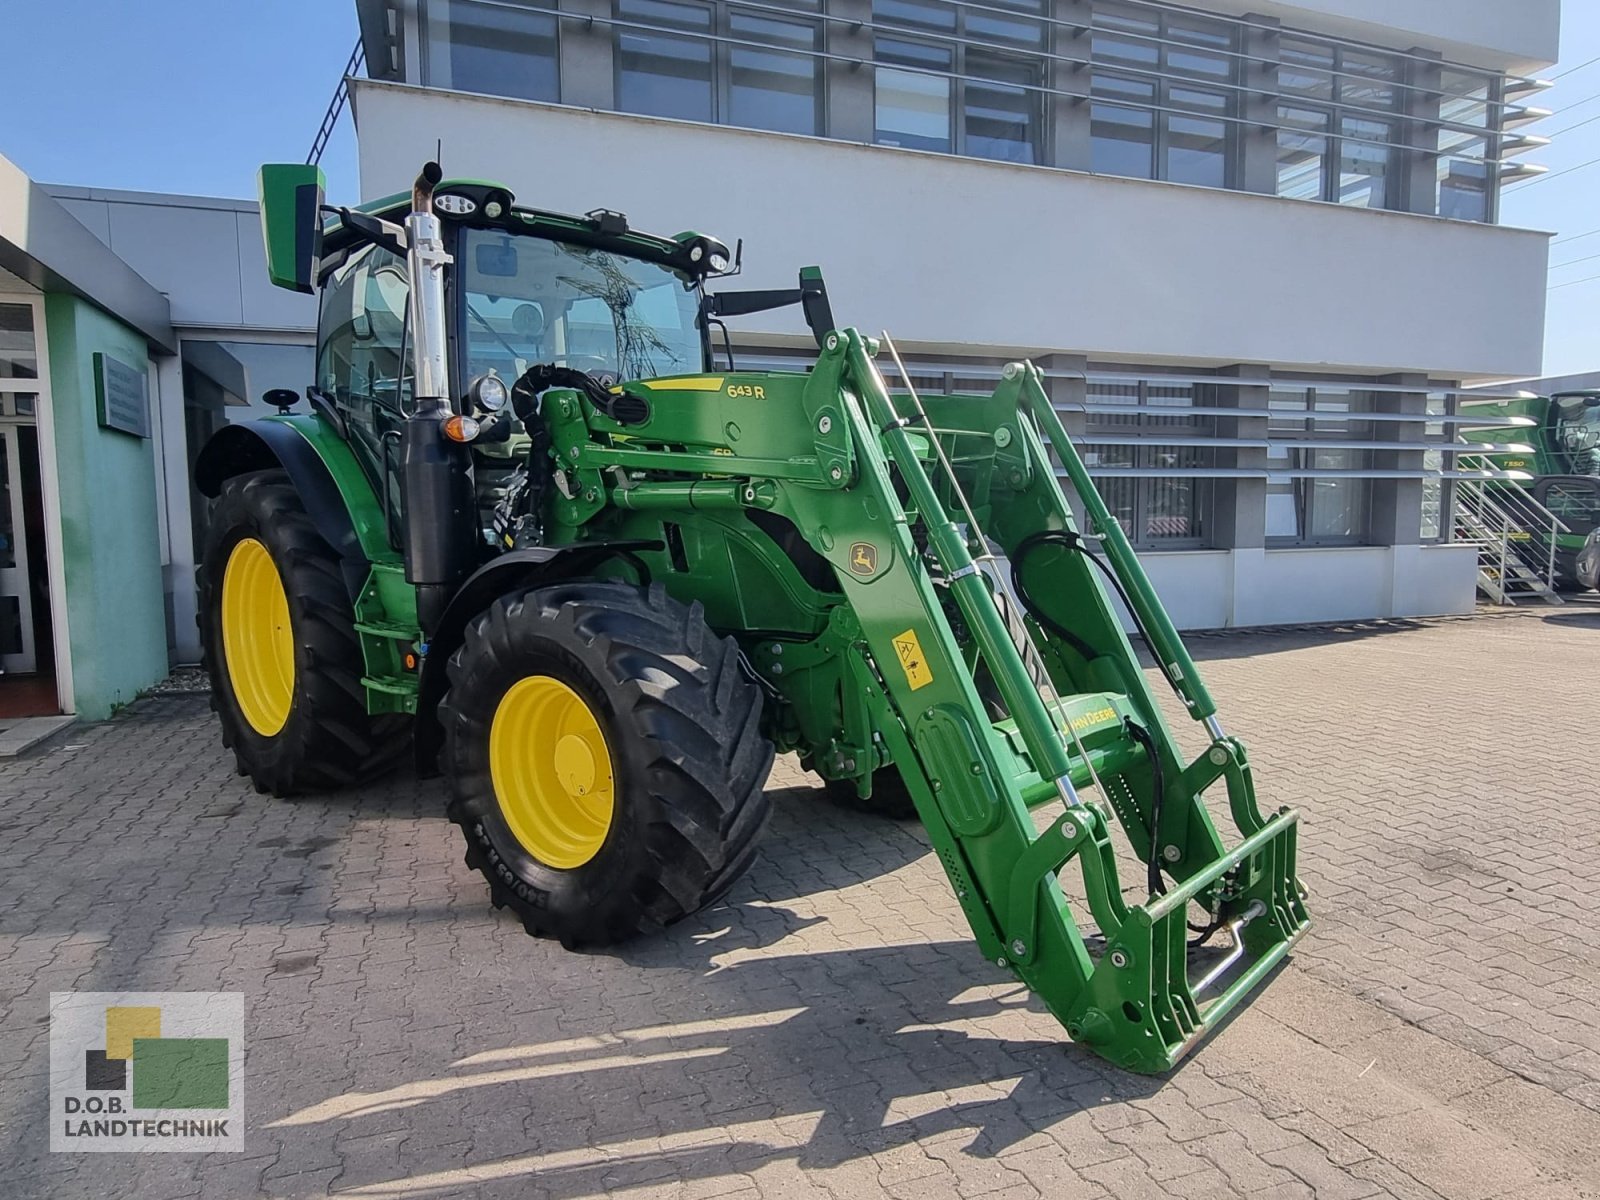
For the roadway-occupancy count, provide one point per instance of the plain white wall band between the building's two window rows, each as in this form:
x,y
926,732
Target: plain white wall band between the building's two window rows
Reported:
x,y
961,255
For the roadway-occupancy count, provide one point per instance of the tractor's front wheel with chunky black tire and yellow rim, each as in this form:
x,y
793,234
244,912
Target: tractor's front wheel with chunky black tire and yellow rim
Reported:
x,y
634,775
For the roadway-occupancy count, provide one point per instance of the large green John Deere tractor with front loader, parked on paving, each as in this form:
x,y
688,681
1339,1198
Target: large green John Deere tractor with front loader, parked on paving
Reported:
x,y
540,527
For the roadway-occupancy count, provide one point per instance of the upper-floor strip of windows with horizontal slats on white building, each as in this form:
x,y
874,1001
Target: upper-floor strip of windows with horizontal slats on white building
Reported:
x,y
1116,87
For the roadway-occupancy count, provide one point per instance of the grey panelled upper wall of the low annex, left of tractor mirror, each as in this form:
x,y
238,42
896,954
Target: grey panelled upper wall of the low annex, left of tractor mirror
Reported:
x,y
206,254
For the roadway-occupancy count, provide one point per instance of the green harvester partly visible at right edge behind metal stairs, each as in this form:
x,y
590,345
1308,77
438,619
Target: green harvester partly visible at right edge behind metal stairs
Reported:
x,y
1562,473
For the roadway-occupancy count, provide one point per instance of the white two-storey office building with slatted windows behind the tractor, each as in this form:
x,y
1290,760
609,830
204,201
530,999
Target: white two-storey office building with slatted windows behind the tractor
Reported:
x,y
1254,246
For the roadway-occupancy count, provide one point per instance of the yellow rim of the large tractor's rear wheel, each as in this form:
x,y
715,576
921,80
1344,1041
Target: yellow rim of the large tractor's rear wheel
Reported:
x,y
258,644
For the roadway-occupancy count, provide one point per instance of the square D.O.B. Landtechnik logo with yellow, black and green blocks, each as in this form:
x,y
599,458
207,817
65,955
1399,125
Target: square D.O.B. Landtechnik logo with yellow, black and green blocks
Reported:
x,y
146,1071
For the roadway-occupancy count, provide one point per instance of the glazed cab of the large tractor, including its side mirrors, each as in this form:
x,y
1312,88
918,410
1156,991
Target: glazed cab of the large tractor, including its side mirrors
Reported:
x,y
532,300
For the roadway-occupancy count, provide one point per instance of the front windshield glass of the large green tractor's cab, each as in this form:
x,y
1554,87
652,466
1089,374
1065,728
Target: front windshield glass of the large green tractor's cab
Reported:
x,y
535,302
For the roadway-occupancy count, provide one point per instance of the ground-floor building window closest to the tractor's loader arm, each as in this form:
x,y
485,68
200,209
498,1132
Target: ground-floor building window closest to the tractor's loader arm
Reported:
x,y
1146,452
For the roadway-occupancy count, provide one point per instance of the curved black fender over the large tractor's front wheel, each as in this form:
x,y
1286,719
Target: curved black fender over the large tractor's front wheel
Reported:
x,y
511,572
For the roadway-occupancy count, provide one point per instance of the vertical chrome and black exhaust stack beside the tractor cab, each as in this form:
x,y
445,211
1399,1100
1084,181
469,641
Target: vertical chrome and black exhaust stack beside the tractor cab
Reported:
x,y
441,521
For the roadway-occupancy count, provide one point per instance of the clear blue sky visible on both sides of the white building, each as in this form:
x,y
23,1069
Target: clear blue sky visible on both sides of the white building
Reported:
x,y
193,95
